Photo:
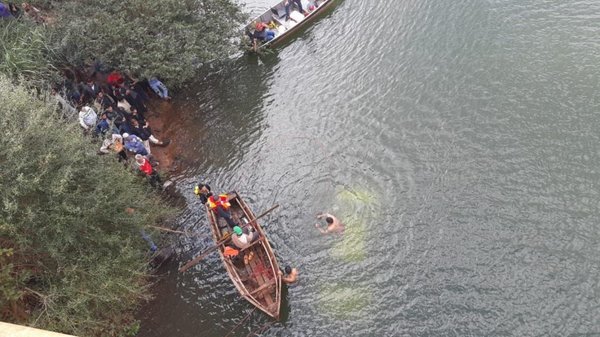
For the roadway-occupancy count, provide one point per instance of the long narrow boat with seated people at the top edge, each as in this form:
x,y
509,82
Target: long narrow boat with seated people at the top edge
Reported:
x,y
278,22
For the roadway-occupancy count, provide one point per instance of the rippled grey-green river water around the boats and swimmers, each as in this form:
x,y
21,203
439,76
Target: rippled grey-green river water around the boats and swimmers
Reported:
x,y
458,142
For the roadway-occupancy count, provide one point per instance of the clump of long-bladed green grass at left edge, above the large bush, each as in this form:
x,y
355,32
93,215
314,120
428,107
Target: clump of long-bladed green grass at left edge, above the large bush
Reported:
x,y
25,51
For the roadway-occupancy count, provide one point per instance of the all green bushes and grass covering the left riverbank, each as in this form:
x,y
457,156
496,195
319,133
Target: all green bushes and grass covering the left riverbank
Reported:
x,y
72,257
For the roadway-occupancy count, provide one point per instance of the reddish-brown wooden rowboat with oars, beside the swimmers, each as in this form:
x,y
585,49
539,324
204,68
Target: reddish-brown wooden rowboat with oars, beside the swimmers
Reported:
x,y
258,280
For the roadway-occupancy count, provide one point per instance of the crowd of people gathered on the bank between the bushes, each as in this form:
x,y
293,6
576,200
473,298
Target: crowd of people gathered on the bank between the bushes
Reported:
x,y
113,112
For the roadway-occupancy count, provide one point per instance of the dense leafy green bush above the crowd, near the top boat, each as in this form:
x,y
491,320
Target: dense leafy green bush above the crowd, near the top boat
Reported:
x,y
168,39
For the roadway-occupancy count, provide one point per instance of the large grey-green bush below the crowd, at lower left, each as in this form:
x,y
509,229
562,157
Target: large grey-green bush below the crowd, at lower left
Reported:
x,y
66,243
